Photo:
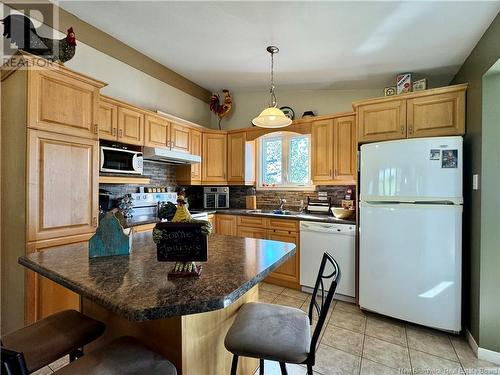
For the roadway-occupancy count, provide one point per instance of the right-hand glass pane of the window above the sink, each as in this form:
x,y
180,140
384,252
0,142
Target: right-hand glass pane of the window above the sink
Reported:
x,y
298,160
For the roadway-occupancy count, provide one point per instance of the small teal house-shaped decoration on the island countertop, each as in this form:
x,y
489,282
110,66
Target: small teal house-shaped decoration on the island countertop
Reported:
x,y
110,238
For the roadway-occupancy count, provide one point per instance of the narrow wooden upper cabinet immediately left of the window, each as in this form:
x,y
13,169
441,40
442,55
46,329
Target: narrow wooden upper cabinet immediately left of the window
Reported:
x,y
240,159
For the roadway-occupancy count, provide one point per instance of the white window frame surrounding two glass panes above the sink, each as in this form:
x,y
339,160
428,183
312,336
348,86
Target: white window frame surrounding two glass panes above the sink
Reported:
x,y
285,147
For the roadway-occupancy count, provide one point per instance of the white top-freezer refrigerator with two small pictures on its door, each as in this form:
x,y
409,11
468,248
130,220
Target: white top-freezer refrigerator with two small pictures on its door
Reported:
x,y
411,230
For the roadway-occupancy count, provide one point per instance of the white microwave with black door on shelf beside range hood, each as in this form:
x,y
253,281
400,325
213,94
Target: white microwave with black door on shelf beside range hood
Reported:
x,y
119,160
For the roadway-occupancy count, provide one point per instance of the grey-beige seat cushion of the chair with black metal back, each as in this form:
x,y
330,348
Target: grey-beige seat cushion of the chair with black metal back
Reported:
x,y
268,331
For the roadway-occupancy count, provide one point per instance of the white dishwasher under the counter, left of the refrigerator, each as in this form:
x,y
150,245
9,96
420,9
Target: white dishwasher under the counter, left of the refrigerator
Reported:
x,y
336,239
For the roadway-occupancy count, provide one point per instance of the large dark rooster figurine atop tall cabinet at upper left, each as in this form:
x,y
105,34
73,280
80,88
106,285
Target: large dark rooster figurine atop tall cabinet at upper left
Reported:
x,y
22,32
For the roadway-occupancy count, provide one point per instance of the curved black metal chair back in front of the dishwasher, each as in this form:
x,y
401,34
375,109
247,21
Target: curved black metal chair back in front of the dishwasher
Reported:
x,y
321,303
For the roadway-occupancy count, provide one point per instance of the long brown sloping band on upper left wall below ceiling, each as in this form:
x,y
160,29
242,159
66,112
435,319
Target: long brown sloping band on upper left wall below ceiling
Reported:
x,y
111,46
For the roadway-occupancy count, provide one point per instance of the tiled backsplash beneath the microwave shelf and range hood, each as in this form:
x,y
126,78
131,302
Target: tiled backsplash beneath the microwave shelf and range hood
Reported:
x,y
161,174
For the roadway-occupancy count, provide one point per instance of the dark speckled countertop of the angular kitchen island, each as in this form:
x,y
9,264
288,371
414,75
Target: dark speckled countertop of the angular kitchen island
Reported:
x,y
136,286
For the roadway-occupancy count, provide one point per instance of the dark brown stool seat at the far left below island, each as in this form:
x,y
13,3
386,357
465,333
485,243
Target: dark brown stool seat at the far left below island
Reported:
x,y
53,337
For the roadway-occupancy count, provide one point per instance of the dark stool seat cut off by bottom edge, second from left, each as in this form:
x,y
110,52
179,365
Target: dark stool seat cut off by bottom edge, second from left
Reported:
x,y
125,355
